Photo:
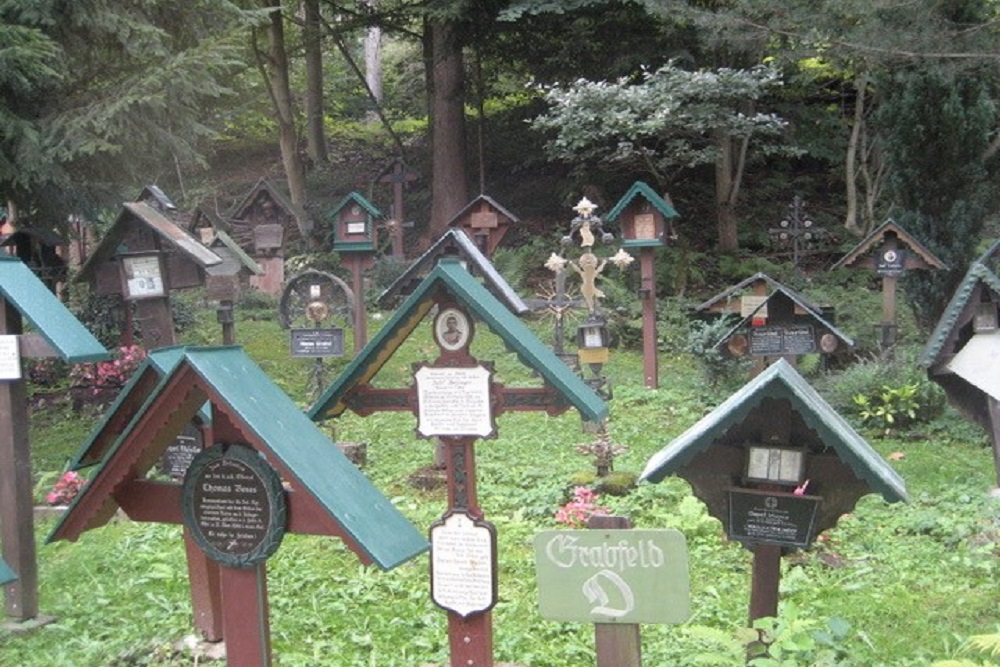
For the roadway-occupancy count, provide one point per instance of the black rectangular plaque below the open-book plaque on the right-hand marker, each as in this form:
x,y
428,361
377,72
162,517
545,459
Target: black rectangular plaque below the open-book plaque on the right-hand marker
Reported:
x,y
763,517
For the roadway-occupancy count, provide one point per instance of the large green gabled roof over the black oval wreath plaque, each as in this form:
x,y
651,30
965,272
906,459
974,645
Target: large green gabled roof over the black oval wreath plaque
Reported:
x,y
239,388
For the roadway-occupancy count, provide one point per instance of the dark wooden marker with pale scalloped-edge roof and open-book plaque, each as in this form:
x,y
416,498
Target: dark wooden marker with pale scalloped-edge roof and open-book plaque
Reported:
x,y
799,467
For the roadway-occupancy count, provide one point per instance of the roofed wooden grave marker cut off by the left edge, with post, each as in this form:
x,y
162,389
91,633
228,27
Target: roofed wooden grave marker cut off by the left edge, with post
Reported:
x,y
58,333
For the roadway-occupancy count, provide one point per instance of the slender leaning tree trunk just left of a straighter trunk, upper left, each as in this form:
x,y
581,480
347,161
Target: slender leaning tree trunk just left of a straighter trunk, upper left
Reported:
x,y
281,97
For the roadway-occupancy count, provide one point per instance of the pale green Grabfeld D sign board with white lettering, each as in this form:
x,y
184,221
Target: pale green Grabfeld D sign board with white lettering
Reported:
x,y
613,576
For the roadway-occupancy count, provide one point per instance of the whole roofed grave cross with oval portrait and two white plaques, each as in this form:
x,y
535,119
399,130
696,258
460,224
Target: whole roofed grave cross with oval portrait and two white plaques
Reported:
x,y
457,401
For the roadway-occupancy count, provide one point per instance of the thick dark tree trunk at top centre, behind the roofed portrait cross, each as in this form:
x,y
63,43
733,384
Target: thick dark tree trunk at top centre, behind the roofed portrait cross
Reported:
x,y
446,93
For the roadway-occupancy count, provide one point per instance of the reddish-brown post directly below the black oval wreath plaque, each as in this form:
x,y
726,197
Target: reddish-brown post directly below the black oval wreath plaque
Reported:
x,y
245,619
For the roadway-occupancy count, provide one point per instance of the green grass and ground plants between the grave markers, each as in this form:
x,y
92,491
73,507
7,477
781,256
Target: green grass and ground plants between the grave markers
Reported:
x,y
911,580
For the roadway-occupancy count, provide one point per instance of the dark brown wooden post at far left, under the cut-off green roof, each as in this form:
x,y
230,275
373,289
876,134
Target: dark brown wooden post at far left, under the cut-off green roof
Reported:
x,y
17,527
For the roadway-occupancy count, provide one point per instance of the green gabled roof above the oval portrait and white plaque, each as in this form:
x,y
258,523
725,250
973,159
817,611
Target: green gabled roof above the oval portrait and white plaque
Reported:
x,y
449,275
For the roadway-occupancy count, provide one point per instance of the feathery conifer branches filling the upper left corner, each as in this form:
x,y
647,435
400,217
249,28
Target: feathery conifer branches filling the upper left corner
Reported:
x,y
94,89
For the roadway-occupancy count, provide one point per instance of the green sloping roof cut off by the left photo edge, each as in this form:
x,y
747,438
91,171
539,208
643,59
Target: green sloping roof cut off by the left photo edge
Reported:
x,y
47,315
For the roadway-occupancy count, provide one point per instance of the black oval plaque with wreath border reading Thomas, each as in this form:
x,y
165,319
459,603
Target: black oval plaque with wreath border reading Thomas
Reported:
x,y
234,505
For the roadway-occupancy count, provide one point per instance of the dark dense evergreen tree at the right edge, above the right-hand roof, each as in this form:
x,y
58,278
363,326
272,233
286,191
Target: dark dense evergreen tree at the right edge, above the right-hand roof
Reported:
x,y
936,127
